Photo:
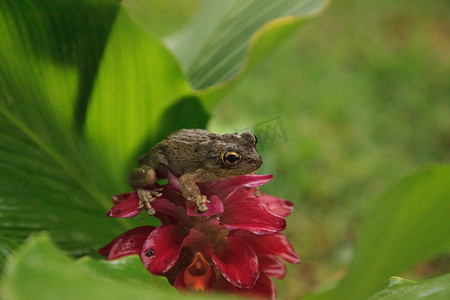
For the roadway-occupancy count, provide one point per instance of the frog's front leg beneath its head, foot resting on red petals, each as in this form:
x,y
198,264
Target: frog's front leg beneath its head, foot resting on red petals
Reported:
x,y
190,190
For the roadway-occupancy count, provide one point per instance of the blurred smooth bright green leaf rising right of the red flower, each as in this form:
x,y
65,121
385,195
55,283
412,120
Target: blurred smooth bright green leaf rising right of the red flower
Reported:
x,y
407,225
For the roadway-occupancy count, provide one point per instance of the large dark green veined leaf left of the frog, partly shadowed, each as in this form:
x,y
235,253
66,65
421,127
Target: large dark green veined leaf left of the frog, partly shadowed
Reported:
x,y
49,178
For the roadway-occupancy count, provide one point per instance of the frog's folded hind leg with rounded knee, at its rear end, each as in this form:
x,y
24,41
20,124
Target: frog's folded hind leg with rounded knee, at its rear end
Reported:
x,y
142,180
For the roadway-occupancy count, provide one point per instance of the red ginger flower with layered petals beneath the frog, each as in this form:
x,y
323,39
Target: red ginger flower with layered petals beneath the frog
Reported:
x,y
234,246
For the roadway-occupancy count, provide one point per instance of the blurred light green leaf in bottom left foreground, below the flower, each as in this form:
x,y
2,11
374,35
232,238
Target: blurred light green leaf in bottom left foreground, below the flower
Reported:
x,y
41,271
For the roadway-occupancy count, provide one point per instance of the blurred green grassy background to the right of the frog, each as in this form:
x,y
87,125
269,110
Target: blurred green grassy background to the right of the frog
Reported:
x,y
364,96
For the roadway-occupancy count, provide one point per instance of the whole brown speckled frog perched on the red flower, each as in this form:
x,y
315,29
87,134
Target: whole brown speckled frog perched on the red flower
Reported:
x,y
194,155
